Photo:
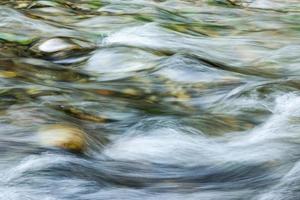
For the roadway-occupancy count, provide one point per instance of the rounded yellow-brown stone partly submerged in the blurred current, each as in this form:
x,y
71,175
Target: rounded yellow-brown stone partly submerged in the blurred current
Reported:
x,y
63,136
